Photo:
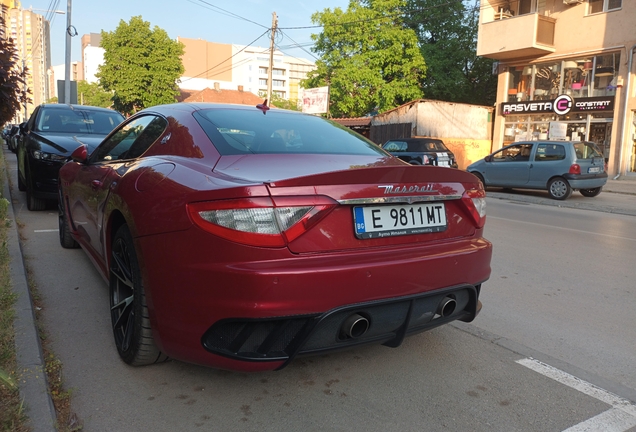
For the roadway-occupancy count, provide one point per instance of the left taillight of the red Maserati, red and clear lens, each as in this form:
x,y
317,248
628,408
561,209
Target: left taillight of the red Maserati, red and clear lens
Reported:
x,y
260,221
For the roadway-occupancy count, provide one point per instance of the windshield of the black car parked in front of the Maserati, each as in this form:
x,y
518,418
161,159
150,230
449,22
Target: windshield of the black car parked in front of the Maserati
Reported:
x,y
77,121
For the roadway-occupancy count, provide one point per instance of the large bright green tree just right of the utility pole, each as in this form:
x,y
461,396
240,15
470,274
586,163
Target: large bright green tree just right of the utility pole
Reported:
x,y
369,59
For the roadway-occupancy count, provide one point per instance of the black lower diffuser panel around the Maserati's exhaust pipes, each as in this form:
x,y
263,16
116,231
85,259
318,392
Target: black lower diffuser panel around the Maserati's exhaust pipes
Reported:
x,y
388,322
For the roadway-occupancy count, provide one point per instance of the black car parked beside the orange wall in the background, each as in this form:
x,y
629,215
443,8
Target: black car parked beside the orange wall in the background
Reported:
x,y
421,151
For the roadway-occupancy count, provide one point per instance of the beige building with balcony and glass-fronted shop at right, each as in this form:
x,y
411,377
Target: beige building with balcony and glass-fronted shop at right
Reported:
x,y
566,71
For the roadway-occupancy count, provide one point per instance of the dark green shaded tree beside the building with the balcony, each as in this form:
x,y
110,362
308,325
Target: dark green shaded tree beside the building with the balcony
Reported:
x,y
447,32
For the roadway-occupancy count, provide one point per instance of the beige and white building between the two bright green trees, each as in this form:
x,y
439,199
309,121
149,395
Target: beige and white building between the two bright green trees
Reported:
x,y
228,66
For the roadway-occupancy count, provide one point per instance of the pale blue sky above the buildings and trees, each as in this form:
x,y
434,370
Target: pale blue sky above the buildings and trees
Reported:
x,y
238,22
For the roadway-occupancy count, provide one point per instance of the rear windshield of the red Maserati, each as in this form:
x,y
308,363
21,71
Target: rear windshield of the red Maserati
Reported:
x,y
240,131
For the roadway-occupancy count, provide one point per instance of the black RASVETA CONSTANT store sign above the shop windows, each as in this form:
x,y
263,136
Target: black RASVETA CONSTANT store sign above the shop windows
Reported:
x,y
562,105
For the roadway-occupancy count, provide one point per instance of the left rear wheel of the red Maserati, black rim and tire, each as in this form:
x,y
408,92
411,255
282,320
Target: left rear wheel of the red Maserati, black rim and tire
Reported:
x,y
128,309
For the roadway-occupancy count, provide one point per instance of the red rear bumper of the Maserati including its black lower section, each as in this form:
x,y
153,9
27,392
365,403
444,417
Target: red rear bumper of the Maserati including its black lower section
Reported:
x,y
196,288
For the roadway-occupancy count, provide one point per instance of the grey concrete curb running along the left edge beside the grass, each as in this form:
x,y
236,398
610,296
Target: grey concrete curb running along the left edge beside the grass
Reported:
x,y
30,361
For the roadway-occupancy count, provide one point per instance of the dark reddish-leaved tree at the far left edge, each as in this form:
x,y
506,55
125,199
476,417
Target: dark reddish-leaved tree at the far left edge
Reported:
x,y
12,92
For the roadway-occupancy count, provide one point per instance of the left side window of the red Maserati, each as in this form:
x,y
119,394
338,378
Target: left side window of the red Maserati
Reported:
x,y
131,140
